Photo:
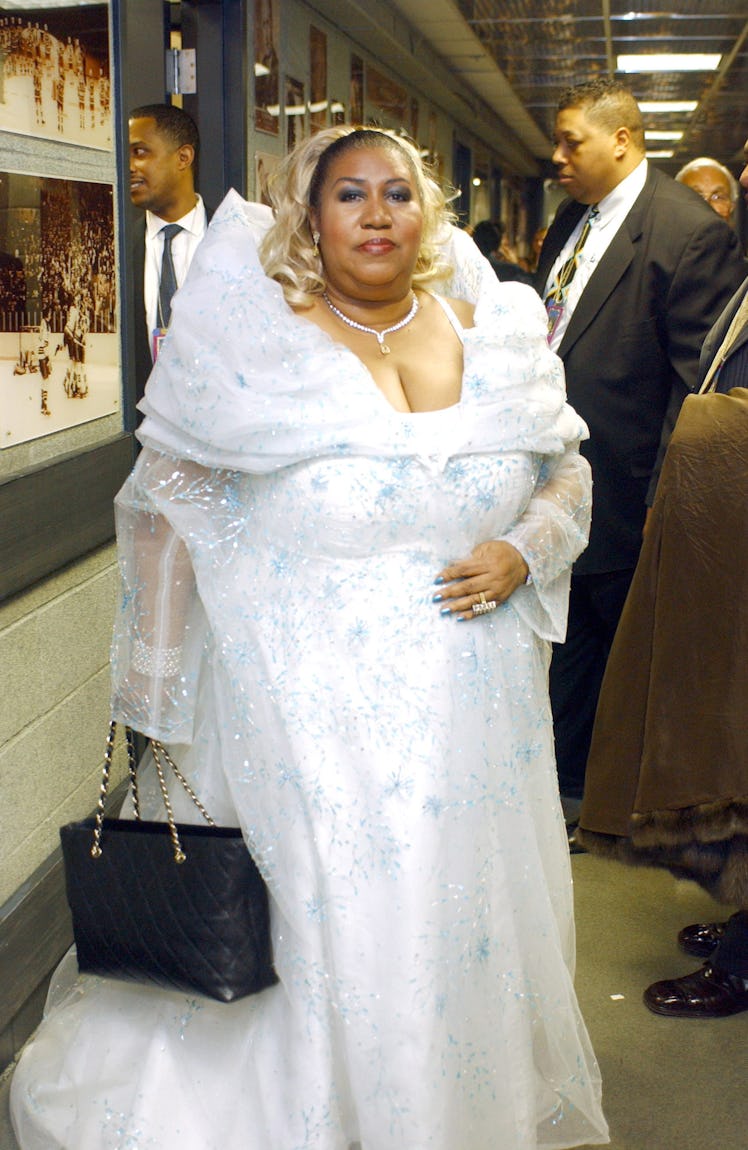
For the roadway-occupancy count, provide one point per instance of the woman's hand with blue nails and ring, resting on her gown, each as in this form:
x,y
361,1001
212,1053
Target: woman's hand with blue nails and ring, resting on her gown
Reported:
x,y
494,570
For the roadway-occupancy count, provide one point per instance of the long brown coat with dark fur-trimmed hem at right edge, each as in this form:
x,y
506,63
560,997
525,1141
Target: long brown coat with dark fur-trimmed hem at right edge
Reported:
x,y
668,775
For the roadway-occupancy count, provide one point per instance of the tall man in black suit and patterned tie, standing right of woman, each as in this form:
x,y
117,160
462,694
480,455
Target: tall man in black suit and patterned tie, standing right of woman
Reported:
x,y
657,269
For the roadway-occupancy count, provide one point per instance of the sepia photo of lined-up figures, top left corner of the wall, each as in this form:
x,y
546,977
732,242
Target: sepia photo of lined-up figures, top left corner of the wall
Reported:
x,y
56,78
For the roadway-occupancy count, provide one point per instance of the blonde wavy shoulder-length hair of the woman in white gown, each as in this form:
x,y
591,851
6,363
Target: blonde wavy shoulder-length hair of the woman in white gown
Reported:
x,y
288,252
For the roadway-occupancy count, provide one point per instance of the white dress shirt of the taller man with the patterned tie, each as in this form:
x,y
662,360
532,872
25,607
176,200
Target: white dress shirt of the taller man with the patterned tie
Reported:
x,y
614,209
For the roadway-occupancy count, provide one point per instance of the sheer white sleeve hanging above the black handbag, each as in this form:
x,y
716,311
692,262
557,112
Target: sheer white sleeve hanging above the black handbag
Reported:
x,y
161,633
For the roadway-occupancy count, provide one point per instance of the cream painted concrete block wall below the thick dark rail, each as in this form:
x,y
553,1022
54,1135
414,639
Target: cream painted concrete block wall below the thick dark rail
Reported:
x,y
55,710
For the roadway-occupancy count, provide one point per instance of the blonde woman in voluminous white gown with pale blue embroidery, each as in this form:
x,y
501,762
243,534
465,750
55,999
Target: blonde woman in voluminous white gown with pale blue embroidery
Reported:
x,y
345,550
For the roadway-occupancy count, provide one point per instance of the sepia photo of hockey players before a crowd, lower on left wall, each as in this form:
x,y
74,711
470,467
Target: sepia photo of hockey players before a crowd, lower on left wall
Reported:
x,y
59,342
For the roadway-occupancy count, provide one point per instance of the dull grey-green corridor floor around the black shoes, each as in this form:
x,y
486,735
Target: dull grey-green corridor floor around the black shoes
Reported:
x,y
669,1084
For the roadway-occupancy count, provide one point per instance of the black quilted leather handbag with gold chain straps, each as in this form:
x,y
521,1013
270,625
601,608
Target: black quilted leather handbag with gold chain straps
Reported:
x,y
172,904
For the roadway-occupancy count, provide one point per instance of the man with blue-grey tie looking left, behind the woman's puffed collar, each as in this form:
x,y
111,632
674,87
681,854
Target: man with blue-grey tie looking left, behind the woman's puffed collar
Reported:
x,y
164,160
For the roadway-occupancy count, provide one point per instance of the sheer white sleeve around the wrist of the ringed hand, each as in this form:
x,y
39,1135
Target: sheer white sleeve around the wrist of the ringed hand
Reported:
x,y
551,535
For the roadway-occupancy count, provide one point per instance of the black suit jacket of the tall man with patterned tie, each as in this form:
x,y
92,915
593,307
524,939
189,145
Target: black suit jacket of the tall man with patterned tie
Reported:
x,y
631,350
